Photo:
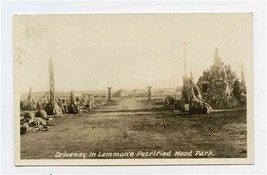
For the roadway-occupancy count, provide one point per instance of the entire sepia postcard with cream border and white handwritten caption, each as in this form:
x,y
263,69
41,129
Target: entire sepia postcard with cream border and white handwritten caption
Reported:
x,y
133,89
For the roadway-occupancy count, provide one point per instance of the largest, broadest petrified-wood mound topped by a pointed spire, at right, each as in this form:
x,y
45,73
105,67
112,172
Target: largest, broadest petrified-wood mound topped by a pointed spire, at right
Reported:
x,y
219,80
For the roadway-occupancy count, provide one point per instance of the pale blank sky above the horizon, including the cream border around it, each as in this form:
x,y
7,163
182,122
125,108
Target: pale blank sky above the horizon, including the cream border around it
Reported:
x,y
92,52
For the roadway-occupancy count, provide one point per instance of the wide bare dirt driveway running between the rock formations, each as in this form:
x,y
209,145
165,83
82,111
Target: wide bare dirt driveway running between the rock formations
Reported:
x,y
133,124
